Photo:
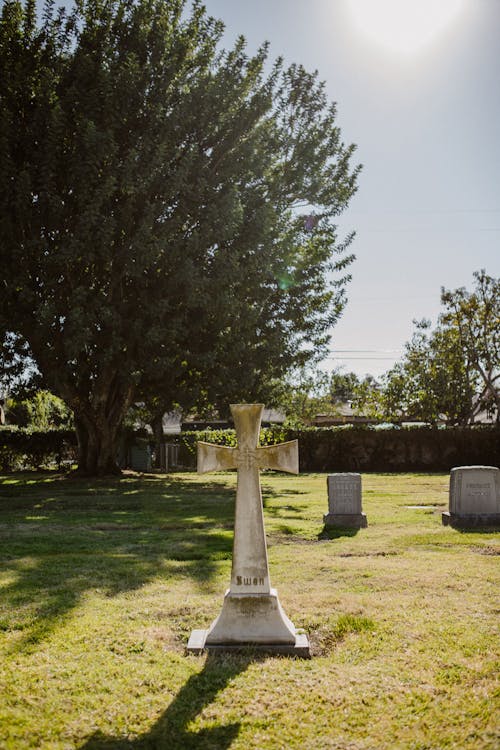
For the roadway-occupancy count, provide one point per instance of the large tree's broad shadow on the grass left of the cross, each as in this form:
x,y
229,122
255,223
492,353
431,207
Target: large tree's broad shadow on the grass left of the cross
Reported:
x,y
60,539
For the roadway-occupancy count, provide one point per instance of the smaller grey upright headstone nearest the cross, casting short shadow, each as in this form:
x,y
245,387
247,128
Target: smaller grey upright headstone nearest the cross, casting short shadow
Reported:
x,y
344,501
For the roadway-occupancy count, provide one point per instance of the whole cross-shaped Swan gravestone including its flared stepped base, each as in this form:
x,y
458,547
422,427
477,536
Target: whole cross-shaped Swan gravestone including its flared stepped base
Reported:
x,y
251,612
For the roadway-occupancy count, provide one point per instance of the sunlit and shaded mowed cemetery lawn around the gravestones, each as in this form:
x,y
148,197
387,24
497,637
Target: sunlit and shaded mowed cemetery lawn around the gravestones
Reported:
x,y
102,582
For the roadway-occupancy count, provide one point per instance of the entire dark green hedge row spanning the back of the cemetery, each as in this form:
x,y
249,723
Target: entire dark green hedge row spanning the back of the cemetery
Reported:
x,y
331,449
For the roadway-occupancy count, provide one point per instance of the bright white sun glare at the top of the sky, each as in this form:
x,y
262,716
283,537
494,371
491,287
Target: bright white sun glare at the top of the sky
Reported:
x,y
404,25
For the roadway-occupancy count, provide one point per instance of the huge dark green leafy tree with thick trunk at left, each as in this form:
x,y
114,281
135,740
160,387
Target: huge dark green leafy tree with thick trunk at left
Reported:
x,y
155,194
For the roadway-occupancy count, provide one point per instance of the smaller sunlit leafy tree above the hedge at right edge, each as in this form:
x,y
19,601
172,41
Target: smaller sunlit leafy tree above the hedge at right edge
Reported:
x,y
449,373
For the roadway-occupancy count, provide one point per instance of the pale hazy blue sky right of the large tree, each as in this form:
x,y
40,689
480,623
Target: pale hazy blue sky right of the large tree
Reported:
x,y
417,88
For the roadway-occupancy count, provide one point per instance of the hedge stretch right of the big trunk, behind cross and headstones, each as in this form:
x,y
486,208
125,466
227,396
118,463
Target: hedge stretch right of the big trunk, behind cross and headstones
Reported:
x,y
349,448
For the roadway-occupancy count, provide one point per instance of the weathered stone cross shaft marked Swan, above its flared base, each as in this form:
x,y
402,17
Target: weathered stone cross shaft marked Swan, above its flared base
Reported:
x,y
250,570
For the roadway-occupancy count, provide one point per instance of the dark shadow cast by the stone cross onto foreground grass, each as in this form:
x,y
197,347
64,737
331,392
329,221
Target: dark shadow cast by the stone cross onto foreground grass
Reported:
x,y
171,730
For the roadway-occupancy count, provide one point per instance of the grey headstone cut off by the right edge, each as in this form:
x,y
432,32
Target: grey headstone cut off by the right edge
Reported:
x,y
474,497
